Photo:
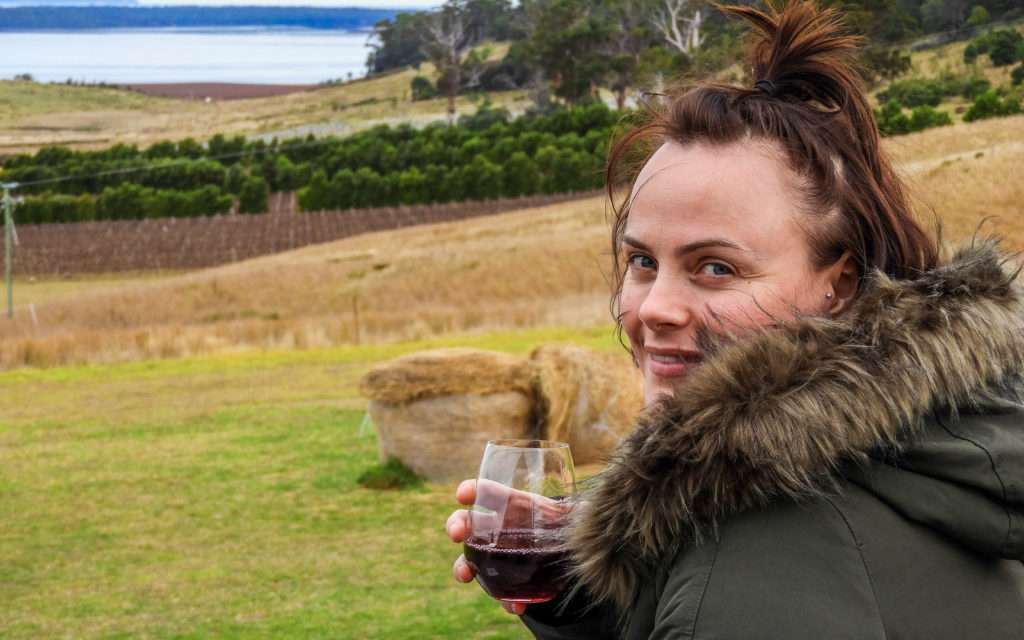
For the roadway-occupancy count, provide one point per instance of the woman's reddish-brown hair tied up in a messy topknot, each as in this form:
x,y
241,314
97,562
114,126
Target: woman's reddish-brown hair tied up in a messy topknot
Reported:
x,y
807,101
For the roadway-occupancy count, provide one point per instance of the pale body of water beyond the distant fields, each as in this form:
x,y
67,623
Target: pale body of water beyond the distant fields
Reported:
x,y
245,56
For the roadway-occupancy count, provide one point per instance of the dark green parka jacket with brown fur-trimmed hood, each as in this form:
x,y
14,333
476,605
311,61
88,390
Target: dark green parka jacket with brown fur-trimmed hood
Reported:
x,y
862,478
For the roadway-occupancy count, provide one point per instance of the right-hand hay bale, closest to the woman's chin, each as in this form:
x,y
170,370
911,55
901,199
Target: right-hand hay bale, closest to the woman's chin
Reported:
x,y
586,399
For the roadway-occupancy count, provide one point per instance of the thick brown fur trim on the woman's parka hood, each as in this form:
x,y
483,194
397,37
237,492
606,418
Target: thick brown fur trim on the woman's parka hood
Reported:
x,y
777,415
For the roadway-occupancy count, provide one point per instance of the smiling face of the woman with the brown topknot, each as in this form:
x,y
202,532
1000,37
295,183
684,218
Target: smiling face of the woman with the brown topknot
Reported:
x,y
711,239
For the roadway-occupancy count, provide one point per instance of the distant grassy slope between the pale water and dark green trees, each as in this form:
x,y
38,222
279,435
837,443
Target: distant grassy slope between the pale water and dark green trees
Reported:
x,y
36,115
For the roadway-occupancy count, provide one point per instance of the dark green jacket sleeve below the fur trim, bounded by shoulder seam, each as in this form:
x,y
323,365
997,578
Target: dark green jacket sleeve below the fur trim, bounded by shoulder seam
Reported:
x,y
788,573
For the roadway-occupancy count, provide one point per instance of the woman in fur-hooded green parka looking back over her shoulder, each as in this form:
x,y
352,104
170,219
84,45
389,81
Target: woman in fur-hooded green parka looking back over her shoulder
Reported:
x,y
834,446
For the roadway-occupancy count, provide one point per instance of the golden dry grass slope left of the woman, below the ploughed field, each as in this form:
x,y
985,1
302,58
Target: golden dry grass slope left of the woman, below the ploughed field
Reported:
x,y
531,269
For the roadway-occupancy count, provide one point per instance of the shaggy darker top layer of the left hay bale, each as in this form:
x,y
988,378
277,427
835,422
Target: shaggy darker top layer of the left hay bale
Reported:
x,y
446,372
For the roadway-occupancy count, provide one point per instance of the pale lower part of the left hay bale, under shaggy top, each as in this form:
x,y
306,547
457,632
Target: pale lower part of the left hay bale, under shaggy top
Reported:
x,y
443,439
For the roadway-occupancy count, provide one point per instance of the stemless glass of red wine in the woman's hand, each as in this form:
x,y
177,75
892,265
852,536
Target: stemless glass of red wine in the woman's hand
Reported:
x,y
518,541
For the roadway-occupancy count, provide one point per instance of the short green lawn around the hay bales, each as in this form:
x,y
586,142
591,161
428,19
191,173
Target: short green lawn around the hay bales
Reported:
x,y
217,497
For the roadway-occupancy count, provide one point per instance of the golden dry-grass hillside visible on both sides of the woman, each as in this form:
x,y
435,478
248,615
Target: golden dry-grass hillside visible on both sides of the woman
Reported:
x,y
536,268
